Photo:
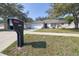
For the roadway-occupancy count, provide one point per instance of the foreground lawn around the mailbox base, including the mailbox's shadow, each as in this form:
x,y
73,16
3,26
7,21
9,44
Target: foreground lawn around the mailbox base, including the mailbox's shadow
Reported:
x,y
55,45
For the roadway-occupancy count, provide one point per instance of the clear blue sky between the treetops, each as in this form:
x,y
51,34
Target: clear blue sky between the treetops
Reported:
x,y
36,9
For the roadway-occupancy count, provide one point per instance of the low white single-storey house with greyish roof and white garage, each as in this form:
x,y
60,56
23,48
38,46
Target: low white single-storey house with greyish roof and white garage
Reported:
x,y
51,23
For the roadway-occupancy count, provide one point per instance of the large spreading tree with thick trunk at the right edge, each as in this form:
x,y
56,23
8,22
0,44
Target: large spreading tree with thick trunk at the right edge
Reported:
x,y
63,9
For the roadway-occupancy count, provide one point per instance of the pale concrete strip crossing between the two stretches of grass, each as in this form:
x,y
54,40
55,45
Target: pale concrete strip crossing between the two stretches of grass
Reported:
x,y
57,34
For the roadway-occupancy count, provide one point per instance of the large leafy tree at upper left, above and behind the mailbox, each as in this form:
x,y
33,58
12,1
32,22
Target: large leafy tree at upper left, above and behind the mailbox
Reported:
x,y
11,10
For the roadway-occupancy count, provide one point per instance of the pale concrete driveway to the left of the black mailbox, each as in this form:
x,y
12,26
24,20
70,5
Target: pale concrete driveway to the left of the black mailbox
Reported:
x,y
6,39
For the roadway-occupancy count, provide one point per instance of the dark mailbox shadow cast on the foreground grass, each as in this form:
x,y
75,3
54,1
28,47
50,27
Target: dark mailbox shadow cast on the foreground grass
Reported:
x,y
40,44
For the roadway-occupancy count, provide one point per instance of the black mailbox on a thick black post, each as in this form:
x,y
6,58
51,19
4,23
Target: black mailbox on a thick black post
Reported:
x,y
18,26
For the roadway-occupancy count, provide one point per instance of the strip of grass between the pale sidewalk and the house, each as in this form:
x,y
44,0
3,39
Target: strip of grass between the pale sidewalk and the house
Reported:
x,y
59,30
